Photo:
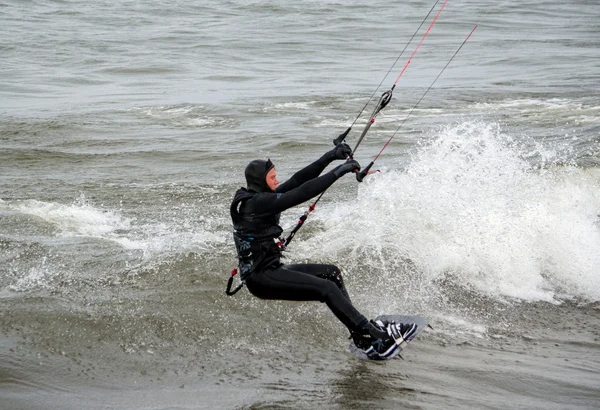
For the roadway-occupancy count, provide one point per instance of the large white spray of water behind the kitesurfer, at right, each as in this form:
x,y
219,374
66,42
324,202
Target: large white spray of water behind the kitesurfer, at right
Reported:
x,y
470,209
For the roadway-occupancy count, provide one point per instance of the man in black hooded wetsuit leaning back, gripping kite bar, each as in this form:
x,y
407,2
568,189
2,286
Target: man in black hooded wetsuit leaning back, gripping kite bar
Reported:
x,y
255,212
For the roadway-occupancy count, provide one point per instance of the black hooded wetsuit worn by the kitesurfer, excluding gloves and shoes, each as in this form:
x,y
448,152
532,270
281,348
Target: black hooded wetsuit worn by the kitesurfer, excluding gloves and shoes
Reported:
x,y
255,213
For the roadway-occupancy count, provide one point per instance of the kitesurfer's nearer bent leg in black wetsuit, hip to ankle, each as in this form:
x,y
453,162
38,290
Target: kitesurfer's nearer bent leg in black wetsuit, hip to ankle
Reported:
x,y
289,284
